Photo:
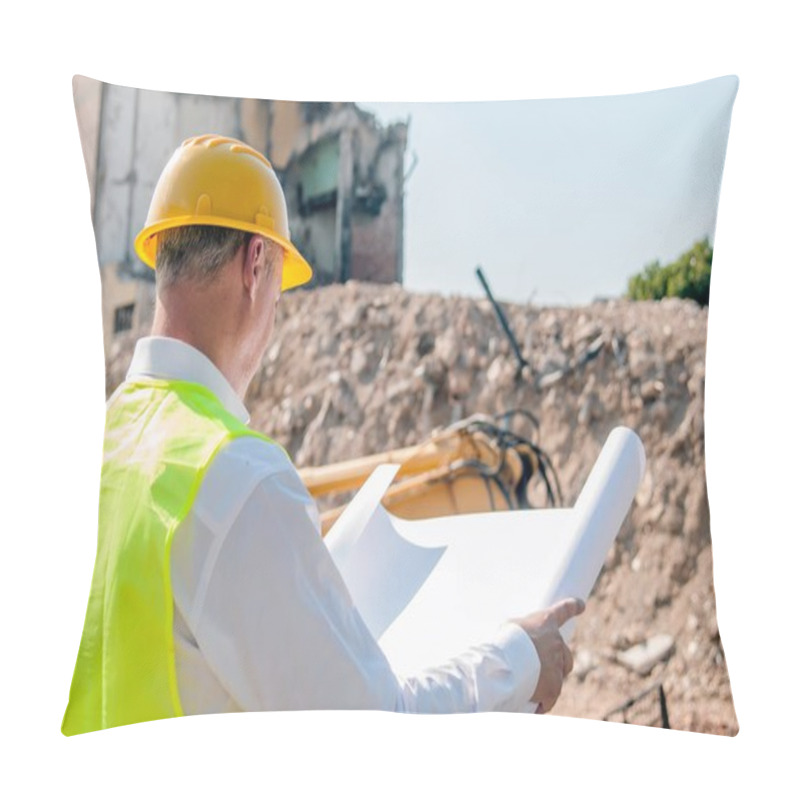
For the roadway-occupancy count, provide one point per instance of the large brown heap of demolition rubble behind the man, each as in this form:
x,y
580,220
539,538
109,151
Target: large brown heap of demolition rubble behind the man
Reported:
x,y
358,368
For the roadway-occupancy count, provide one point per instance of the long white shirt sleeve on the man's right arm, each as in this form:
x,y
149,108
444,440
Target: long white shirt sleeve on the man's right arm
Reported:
x,y
279,630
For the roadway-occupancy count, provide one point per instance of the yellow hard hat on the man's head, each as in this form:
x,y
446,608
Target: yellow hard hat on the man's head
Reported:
x,y
216,180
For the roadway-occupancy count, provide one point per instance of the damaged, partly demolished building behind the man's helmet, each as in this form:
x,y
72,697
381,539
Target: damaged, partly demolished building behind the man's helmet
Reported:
x,y
342,174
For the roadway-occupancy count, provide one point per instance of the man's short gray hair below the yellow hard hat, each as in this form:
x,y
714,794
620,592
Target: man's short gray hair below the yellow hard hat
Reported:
x,y
198,252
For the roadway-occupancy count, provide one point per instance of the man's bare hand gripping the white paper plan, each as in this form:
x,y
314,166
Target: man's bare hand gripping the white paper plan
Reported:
x,y
554,655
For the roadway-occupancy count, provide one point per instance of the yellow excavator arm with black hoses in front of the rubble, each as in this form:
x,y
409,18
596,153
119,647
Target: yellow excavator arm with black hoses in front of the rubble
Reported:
x,y
477,464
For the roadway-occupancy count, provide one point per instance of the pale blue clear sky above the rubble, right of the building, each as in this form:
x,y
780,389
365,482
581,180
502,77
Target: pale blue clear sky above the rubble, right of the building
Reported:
x,y
559,201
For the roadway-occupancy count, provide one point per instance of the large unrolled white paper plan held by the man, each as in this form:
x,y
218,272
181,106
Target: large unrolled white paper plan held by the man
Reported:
x,y
429,589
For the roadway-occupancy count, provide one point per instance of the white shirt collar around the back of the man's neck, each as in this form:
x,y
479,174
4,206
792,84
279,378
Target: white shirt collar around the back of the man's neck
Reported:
x,y
171,359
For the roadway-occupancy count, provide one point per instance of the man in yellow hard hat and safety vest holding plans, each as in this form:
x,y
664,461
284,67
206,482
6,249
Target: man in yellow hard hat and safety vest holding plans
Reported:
x,y
213,590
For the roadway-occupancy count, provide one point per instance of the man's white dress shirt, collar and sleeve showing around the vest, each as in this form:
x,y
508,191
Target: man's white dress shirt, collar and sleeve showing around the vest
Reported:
x,y
263,620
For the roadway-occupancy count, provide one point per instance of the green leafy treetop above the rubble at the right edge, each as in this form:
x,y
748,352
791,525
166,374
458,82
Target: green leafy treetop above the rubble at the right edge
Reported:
x,y
688,276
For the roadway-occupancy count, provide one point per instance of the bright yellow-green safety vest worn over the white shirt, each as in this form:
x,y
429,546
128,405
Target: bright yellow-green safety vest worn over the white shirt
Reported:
x,y
160,438
